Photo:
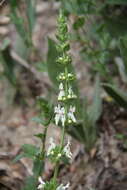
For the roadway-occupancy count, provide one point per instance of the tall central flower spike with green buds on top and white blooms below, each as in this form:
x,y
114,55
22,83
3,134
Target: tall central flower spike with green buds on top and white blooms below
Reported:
x,y
64,111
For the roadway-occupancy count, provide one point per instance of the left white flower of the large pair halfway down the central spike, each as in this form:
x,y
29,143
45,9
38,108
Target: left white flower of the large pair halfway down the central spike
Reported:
x,y
60,115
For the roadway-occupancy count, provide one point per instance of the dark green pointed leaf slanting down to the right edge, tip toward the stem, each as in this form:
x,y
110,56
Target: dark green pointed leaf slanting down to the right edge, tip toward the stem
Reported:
x,y
118,95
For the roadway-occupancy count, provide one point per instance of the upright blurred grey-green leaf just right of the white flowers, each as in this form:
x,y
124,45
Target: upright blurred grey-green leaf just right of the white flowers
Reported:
x,y
96,109
